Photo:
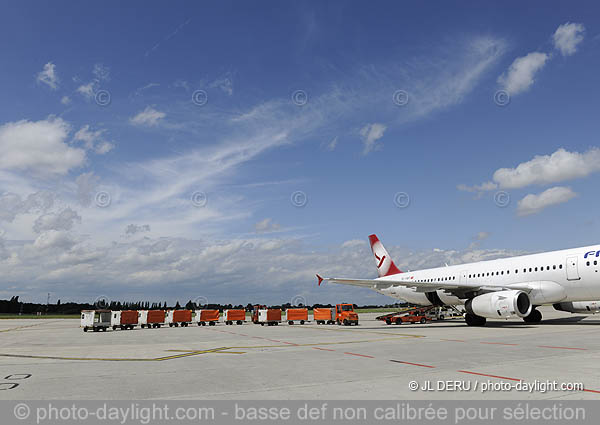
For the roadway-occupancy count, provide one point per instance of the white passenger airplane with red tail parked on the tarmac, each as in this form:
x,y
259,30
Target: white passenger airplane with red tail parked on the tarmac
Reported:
x,y
503,288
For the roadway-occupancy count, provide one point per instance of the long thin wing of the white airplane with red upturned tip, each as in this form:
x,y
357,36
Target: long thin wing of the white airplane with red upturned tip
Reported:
x,y
423,286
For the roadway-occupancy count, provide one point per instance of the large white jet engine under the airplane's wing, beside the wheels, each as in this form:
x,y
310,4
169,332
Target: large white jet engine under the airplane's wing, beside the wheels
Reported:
x,y
501,304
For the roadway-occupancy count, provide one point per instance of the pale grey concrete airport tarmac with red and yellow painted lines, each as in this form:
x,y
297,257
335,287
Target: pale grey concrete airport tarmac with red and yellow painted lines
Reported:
x,y
54,359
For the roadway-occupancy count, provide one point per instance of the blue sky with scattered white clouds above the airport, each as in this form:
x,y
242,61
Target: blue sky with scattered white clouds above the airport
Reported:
x,y
185,183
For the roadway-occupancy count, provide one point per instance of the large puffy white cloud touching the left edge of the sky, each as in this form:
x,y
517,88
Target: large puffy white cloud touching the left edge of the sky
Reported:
x,y
38,147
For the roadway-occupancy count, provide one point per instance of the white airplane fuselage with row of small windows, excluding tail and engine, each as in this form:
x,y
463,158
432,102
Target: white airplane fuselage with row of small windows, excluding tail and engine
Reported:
x,y
552,277
